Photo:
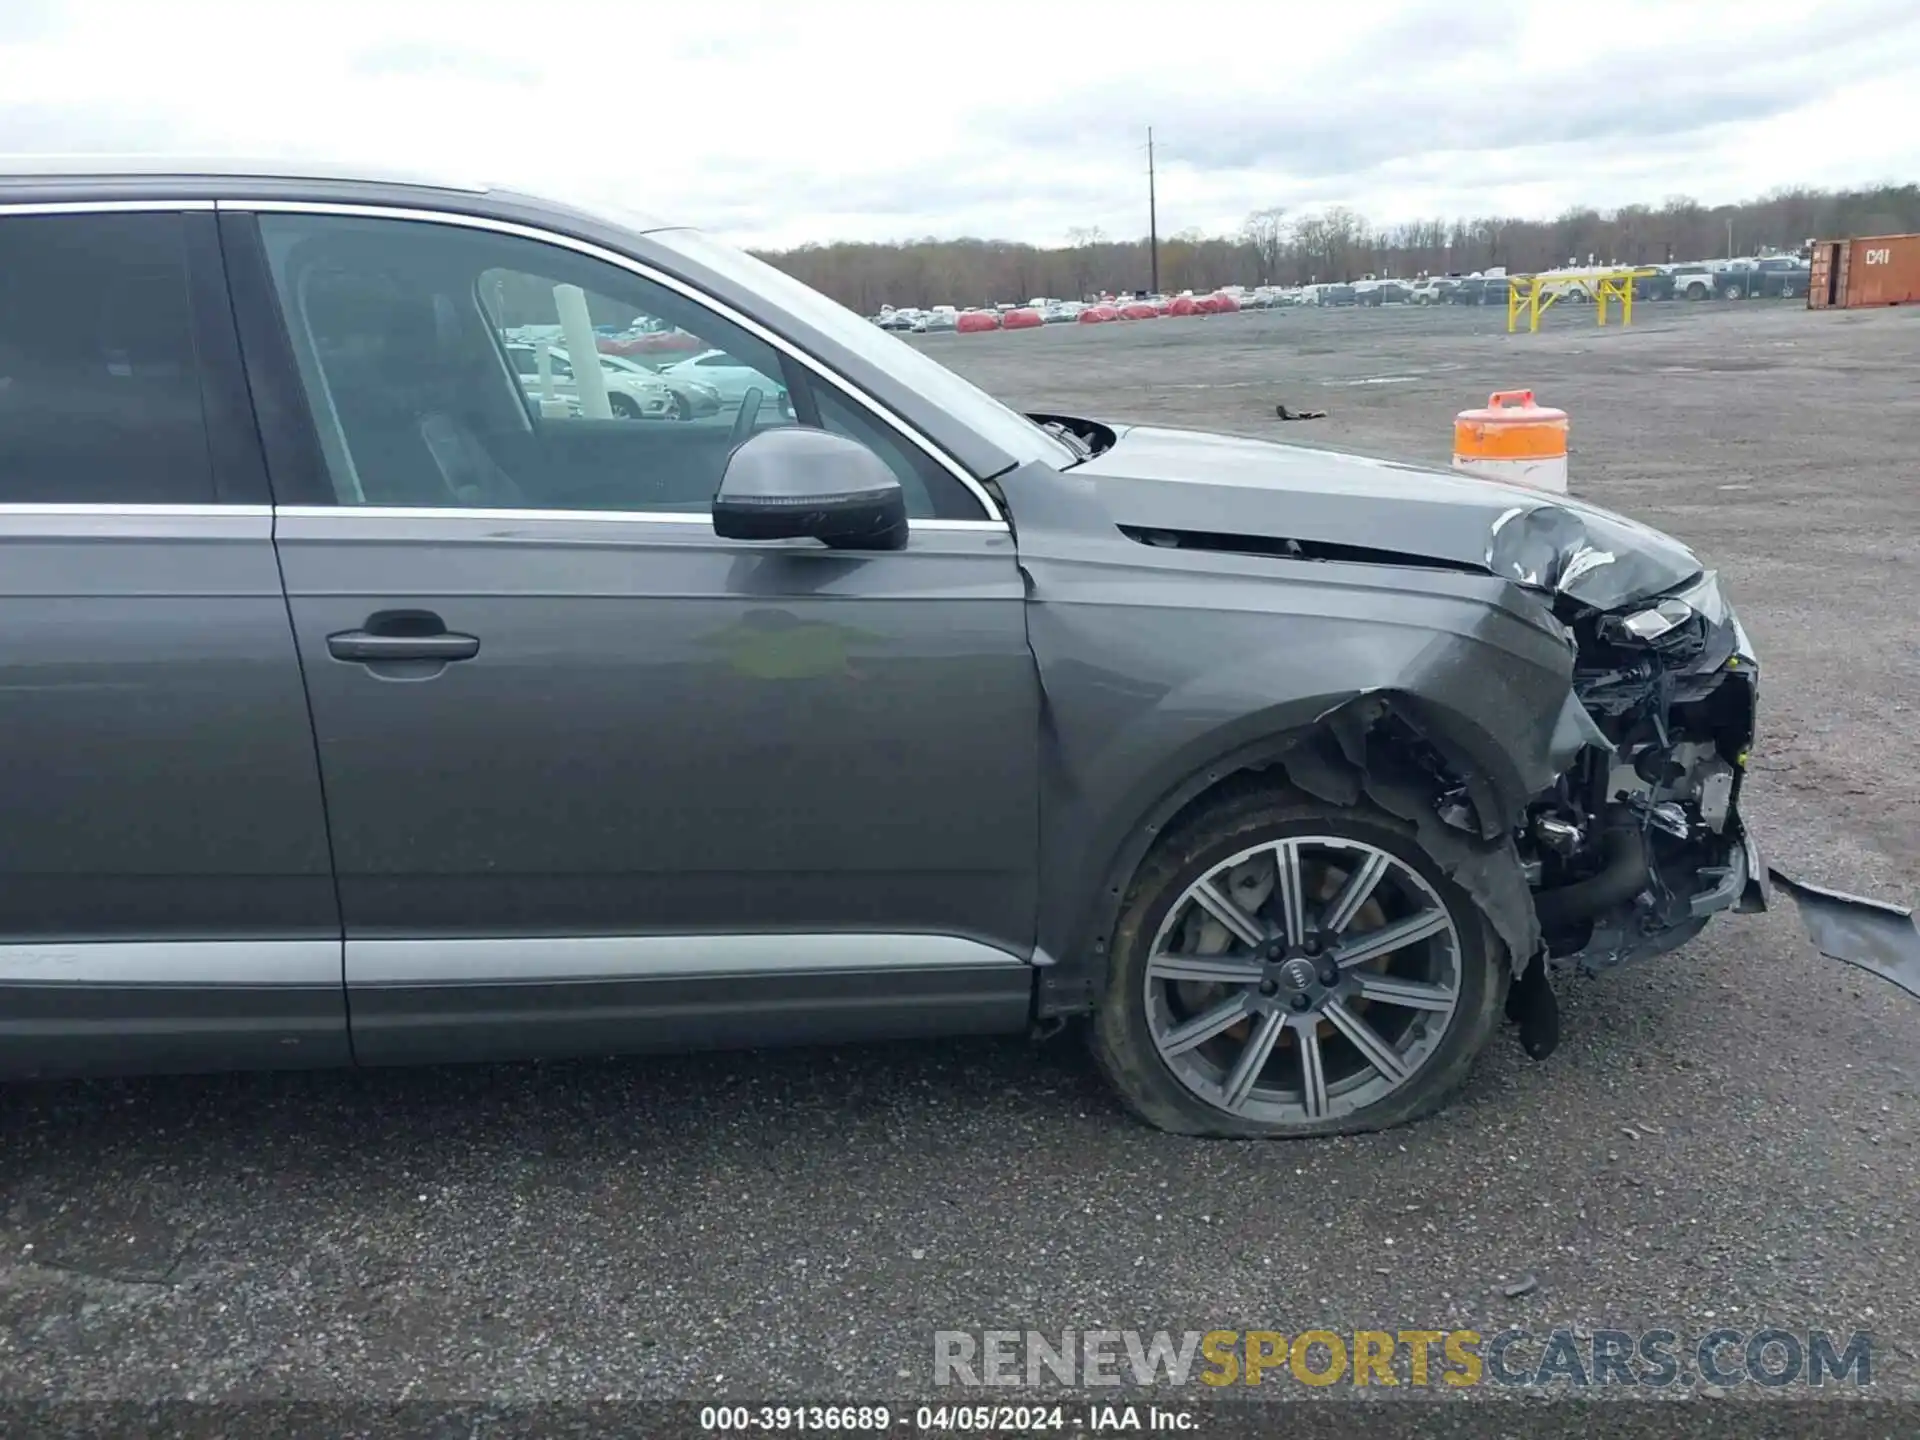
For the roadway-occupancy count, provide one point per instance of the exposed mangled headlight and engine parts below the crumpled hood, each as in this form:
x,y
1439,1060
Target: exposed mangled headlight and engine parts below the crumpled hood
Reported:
x,y
1637,846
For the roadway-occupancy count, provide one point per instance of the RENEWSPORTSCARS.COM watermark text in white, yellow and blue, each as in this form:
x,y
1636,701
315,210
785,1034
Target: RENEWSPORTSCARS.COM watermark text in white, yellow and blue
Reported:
x,y
1431,1358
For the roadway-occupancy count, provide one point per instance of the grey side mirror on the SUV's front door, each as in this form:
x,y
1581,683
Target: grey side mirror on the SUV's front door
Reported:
x,y
811,485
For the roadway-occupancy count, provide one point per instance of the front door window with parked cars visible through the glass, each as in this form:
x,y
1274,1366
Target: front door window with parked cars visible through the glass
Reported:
x,y
402,333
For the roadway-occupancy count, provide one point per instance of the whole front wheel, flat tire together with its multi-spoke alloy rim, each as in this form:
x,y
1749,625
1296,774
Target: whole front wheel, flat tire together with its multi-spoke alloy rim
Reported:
x,y
1143,1009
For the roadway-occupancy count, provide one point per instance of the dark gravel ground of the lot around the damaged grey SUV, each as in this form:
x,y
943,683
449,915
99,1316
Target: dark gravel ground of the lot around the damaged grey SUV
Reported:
x,y
1727,1136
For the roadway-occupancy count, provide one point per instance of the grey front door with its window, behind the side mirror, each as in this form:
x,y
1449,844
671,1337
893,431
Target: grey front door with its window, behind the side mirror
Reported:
x,y
596,779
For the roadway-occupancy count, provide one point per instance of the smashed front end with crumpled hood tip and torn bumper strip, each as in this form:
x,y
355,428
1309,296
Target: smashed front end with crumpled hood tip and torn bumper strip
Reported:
x,y
1641,842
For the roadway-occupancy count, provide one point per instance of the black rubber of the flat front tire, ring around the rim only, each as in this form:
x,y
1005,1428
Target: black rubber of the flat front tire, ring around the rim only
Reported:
x,y
1126,1042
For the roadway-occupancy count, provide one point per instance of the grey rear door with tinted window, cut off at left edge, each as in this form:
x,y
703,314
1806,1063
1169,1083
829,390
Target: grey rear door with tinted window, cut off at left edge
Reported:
x,y
166,900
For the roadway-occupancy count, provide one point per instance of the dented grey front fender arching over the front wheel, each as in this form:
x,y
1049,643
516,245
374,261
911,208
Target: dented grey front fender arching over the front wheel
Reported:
x,y
1168,671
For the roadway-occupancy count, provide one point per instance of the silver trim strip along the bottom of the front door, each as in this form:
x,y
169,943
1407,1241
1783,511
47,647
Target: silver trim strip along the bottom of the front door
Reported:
x,y
558,959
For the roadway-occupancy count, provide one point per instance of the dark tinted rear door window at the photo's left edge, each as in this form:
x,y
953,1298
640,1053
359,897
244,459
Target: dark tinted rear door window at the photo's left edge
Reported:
x,y
99,375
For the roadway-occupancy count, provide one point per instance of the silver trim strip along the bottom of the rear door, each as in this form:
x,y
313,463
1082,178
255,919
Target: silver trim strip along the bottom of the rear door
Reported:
x,y
174,963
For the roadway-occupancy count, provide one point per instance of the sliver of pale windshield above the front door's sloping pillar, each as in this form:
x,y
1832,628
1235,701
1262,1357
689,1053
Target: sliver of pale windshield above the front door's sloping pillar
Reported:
x,y
967,402
